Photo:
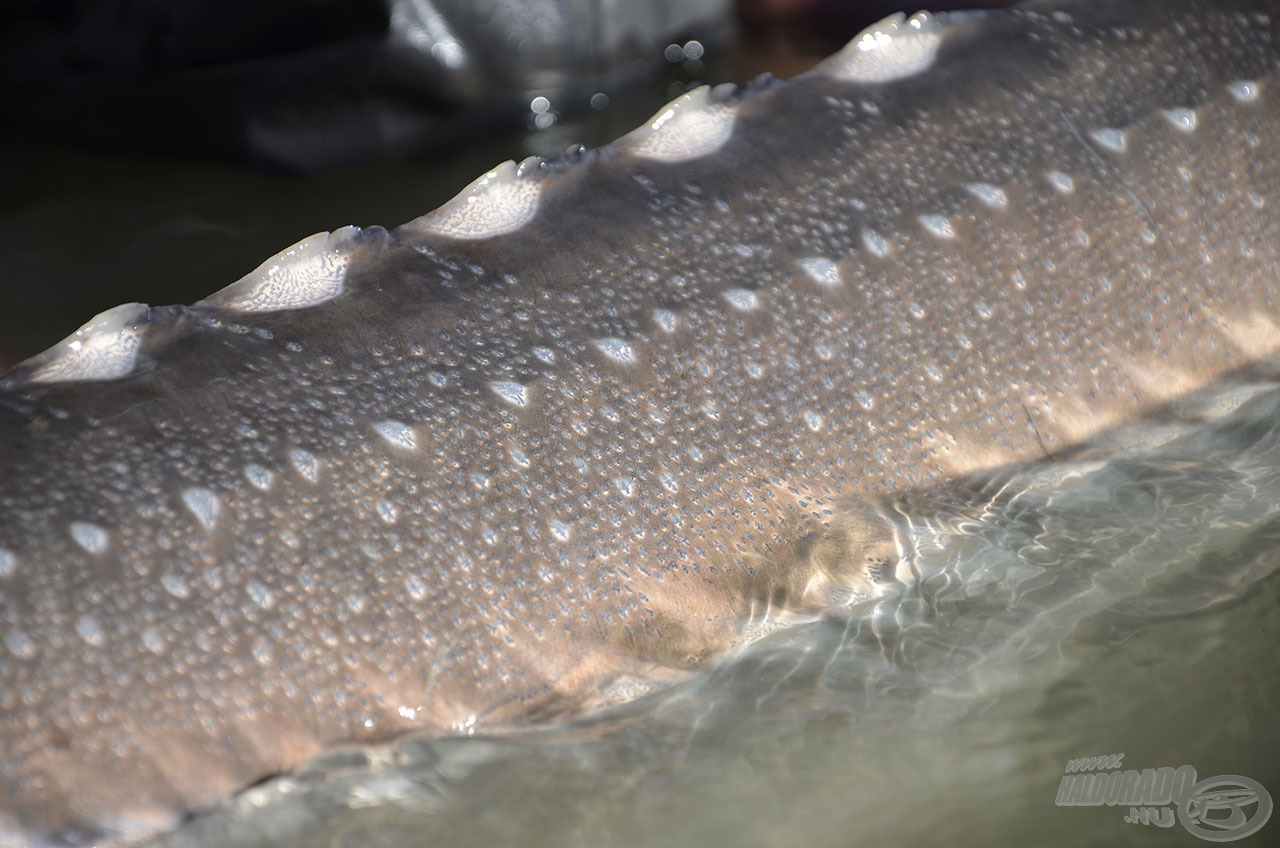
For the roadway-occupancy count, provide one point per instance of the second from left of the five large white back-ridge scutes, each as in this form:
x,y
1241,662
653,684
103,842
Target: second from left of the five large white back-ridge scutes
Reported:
x,y
308,275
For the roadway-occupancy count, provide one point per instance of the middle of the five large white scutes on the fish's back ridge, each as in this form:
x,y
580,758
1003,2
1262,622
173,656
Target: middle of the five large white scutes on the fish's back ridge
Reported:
x,y
501,202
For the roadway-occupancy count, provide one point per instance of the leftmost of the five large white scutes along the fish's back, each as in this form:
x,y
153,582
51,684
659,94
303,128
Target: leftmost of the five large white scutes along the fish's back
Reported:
x,y
106,349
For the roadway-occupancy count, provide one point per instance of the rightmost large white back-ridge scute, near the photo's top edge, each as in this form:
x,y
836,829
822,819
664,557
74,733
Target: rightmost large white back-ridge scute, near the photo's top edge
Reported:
x,y
894,49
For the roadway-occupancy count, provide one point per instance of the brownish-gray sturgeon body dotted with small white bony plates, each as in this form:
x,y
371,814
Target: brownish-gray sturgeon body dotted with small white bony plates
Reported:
x,y
488,481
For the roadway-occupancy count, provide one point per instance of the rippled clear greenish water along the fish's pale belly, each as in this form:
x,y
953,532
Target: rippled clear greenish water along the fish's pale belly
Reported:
x,y
1124,601
